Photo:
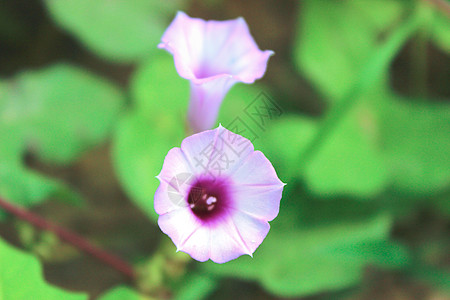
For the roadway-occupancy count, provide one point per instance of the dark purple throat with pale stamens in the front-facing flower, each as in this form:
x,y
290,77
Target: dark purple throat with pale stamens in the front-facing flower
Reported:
x,y
208,198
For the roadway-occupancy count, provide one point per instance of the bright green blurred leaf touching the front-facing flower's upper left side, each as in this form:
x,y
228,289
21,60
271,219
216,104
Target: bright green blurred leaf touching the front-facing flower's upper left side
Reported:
x,y
141,143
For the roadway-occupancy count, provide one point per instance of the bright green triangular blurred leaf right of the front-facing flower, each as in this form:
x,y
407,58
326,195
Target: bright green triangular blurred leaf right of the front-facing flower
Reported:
x,y
349,161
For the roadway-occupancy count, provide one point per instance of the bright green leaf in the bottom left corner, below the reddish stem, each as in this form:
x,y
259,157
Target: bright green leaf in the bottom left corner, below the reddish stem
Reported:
x,y
21,278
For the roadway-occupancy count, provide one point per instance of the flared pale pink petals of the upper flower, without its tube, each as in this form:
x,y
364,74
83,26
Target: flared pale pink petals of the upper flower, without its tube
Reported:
x,y
204,49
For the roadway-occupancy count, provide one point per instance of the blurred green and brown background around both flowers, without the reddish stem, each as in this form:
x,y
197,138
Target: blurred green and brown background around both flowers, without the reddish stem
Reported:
x,y
89,108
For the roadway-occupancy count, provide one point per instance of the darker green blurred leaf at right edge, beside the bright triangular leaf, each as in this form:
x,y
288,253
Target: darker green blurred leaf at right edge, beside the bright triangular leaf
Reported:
x,y
416,145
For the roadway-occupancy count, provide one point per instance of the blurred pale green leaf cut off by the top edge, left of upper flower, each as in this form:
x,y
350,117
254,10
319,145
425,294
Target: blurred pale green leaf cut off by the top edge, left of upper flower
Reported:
x,y
119,30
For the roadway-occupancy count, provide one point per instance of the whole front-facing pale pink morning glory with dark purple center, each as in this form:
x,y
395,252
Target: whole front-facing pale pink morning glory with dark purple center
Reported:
x,y
216,196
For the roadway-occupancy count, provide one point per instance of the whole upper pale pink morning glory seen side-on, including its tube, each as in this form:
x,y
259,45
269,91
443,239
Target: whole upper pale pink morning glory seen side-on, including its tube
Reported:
x,y
213,55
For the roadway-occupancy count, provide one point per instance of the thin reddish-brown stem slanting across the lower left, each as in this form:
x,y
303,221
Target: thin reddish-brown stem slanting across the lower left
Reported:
x,y
71,238
